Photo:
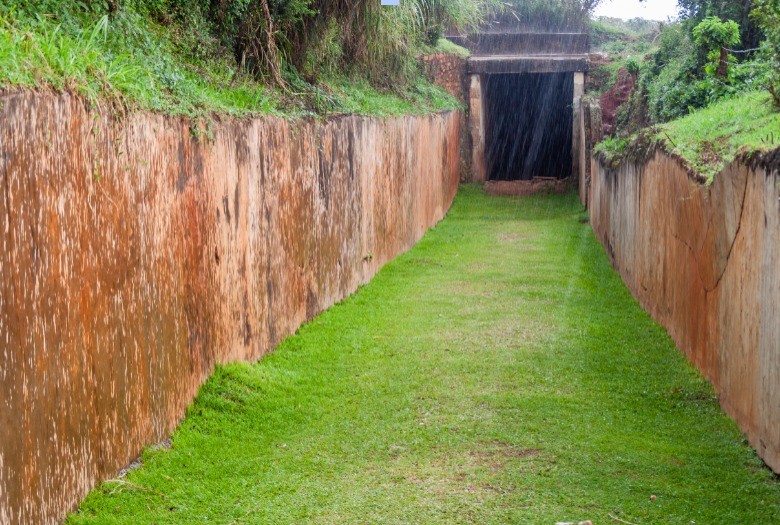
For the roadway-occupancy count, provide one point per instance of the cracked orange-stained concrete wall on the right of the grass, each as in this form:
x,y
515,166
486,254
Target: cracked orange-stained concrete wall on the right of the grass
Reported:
x,y
705,263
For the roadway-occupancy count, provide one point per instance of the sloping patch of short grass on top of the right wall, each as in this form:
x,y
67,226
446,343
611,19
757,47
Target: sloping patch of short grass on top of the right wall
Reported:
x,y
710,138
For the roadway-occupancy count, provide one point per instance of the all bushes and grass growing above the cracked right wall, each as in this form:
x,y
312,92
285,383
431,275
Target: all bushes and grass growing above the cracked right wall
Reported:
x,y
705,89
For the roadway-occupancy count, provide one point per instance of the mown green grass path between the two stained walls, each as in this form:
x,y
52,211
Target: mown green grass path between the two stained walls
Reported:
x,y
500,372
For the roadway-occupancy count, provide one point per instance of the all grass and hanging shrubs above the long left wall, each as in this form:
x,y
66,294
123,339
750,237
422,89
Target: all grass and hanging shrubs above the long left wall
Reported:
x,y
194,57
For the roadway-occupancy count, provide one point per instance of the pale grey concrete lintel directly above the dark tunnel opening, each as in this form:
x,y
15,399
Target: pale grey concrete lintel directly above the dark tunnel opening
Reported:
x,y
527,64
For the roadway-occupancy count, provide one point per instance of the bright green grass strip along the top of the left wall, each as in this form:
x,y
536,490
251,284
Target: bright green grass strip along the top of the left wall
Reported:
x,y
132,59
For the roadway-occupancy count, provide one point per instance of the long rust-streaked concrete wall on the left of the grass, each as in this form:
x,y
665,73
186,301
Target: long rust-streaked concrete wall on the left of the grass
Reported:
x,y
134,256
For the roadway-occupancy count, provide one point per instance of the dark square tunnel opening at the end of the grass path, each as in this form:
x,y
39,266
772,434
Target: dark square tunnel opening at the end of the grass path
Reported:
x,y
529,122
